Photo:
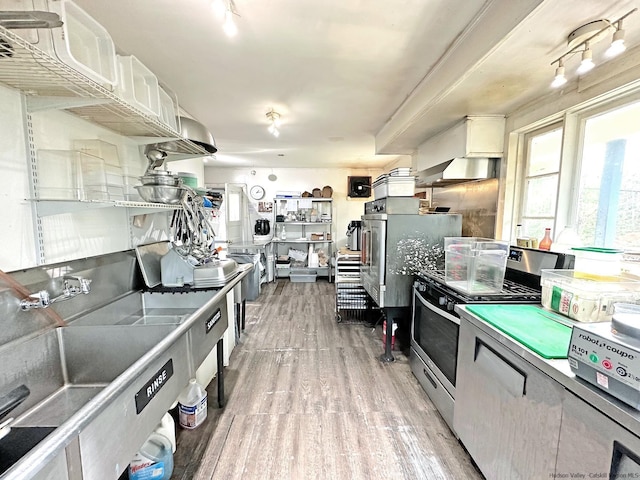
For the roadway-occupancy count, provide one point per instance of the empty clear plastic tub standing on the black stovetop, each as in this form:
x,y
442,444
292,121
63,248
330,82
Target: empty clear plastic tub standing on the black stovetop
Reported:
x,y
475,265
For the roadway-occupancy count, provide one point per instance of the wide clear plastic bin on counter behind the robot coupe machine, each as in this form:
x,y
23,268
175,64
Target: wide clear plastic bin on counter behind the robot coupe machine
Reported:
x,y
584,299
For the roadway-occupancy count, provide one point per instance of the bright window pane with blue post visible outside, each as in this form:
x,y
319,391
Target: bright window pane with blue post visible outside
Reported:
x,y
608,204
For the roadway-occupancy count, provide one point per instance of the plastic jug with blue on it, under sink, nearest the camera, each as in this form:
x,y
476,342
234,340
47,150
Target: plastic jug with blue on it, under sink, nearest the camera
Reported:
x,y
153,461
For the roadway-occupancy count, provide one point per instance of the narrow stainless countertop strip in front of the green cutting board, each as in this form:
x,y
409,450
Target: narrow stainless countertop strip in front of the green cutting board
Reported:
x,y
560,371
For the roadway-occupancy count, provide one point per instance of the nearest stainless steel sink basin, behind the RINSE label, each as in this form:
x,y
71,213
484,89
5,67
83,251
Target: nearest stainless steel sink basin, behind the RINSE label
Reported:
x,y
66,367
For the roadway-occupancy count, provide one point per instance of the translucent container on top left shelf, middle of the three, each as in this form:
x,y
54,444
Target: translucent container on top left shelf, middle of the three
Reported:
x,y
137,85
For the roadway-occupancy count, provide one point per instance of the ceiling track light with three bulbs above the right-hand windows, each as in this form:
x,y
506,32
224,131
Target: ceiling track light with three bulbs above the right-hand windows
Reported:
x,y
581,41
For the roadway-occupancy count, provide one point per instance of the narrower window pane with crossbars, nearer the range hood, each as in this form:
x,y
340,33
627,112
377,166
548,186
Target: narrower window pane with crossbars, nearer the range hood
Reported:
x,y
540,183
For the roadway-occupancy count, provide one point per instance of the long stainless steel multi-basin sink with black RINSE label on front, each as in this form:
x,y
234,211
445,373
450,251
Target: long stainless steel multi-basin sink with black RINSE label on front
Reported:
x,y
102,383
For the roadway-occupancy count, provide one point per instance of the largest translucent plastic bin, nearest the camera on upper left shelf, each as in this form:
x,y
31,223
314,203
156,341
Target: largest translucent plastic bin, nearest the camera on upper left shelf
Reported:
x,y
81,42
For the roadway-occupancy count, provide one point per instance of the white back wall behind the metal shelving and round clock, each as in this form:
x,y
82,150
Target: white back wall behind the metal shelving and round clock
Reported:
x,y
300,180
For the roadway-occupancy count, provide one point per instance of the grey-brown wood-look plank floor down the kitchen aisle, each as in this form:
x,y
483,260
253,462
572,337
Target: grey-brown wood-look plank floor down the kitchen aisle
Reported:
x,y
308,398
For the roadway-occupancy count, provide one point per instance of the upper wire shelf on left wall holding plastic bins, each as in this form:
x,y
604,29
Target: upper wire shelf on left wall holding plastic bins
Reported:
x,y
49,83
